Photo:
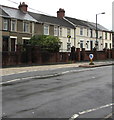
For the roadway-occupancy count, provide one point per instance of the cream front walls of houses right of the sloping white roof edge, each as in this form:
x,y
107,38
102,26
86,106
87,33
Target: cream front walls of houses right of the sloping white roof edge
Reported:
x,y
101,39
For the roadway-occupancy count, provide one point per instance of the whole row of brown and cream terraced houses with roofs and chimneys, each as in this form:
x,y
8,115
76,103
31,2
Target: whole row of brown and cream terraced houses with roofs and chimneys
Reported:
x,y
19,25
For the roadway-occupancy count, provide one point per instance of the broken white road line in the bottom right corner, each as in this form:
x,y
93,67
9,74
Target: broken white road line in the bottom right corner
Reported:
x,y
90,110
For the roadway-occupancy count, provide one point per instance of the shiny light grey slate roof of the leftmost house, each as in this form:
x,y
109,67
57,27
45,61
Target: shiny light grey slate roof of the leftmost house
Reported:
x,y
17,14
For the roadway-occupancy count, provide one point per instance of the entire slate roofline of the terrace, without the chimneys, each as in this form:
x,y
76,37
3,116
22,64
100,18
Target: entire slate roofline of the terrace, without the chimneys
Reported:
x,y
36,17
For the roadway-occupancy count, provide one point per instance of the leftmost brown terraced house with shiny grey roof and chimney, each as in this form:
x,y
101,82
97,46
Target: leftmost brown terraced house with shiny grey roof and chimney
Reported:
x,y
17,27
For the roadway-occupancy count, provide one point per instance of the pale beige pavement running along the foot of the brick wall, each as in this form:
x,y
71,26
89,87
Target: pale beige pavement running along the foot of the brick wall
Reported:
x,y
16,70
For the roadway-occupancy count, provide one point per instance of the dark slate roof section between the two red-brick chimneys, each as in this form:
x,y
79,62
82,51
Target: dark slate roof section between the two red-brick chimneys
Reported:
x,y
51,19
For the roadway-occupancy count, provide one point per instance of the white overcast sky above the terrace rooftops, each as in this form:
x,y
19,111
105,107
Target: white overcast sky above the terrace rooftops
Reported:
x,y
80,9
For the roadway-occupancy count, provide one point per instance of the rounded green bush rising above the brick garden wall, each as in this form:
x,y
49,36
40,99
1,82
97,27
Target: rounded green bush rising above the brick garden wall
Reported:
x,y
46,42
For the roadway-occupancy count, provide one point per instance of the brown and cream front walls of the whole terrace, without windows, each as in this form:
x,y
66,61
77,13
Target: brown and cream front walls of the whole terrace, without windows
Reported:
x,y
38,28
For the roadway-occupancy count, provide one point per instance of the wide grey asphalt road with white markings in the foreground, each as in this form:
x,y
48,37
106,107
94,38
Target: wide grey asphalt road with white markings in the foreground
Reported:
x,y
59,93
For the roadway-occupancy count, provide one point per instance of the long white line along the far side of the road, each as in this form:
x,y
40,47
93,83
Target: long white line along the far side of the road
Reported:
x,y
51,75
